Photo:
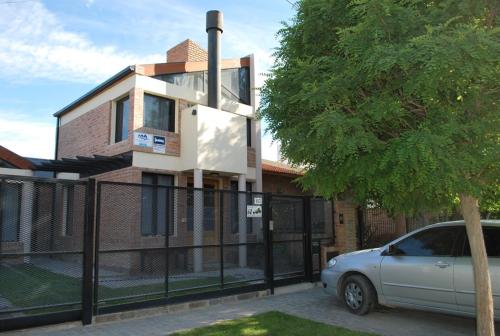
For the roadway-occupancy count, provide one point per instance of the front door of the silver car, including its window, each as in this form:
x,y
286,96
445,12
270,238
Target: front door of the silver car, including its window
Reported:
x,y
419,270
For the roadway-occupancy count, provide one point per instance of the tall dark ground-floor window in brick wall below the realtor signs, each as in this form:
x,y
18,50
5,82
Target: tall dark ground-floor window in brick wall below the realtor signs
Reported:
x,y
157,205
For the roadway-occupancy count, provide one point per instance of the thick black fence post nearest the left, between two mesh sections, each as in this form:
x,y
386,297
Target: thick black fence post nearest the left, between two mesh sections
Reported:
x,y
88,253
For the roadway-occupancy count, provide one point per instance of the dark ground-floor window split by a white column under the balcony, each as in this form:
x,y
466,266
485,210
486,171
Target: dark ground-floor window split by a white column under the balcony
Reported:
x,y
208,207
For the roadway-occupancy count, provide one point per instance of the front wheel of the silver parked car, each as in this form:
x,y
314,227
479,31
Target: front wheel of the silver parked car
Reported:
x,y
358,295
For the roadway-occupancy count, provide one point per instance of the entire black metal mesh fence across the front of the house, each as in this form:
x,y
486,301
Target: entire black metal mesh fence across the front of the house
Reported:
x,y
70,250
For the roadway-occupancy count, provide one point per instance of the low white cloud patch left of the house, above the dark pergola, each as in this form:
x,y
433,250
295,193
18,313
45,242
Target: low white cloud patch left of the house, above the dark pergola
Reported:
x,y
27,137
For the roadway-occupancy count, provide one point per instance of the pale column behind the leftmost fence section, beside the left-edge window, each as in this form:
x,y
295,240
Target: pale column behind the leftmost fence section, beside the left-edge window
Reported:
x,y
26,219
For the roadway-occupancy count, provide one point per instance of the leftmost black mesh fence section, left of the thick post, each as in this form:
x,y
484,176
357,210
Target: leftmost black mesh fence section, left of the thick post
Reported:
x,y
42,224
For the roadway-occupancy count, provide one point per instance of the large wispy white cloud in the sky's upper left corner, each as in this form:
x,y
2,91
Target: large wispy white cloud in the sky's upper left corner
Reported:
x,y
34,44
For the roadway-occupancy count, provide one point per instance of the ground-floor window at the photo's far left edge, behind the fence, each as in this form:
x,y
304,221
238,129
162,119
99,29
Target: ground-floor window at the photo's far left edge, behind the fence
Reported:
x,y
11,211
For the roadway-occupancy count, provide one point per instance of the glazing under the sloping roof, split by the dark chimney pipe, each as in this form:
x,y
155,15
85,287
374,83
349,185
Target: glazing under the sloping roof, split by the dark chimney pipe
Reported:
x,y
235,82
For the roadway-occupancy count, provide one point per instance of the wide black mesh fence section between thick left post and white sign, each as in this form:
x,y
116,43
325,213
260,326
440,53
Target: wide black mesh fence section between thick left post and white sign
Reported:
x,y
159,244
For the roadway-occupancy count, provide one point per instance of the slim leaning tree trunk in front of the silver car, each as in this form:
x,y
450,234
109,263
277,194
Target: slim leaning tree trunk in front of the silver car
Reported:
x,y
484,299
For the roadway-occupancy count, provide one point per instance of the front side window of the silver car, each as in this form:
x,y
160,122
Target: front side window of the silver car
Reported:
x,y
431,242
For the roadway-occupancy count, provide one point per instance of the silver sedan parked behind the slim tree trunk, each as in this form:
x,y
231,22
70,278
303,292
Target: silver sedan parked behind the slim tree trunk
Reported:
x,y
428,269
